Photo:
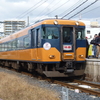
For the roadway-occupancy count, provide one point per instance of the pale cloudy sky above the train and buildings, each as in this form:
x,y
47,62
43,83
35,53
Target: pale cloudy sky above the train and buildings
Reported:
x,y
39,9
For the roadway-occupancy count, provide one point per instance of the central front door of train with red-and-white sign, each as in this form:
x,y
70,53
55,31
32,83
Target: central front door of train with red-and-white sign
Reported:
x,y
68,43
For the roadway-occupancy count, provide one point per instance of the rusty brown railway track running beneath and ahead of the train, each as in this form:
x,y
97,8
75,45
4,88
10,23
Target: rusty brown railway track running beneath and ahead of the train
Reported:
x,y
68,85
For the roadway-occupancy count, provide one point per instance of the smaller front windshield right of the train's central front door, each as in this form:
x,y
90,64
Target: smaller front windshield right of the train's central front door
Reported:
x,y
80,33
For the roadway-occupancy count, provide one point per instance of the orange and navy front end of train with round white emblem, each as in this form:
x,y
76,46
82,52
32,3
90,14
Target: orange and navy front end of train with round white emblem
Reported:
x,y
64,48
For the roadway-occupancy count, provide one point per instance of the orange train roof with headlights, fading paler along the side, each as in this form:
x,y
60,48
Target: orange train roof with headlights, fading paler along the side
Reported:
x,y
45,21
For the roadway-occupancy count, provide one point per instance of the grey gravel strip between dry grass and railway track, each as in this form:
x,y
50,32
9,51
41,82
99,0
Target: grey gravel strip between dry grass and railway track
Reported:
x,y
72,95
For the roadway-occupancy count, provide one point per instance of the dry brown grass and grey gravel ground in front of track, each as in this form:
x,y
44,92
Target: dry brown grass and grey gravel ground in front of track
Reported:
x,y
15,86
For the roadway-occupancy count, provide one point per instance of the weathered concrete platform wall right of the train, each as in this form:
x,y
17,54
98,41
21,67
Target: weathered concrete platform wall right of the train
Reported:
x,y
92,70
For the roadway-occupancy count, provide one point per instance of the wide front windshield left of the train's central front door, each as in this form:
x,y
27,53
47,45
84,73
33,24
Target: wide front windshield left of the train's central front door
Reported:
x,y
50,33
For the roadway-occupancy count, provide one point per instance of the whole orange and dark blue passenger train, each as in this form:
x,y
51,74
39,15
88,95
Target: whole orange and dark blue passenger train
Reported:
x,y
50,47
